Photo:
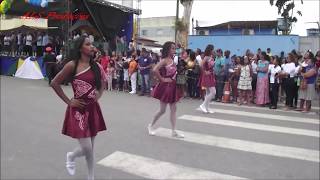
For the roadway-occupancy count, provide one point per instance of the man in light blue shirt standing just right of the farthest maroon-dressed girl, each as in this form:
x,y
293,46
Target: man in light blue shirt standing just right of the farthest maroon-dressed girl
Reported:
x,y
219,69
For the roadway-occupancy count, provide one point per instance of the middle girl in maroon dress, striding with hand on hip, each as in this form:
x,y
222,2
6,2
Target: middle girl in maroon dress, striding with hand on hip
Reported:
x,y
166,91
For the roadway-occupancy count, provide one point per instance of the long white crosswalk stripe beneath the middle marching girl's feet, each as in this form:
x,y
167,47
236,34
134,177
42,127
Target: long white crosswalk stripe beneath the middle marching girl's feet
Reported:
x,y
242,145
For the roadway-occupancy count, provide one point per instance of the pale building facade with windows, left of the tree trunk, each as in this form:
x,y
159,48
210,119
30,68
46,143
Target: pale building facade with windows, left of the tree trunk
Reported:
x,y
159,29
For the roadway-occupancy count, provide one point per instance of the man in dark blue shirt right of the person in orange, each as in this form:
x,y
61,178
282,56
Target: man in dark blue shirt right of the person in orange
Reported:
x,y
144,65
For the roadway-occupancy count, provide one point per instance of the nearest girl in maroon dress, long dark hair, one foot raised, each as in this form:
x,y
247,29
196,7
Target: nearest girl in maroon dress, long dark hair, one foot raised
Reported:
x,y
83,118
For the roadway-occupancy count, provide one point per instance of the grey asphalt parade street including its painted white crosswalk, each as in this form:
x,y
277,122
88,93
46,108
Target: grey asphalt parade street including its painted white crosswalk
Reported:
x,y
234,142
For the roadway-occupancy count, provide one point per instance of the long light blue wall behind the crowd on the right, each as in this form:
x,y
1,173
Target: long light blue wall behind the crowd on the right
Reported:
x,y
239,44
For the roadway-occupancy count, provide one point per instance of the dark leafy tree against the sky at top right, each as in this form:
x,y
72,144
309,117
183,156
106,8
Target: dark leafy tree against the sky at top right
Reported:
x,y
286,10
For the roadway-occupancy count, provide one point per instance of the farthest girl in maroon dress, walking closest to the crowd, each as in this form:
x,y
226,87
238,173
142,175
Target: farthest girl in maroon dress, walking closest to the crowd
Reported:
x,y
207,78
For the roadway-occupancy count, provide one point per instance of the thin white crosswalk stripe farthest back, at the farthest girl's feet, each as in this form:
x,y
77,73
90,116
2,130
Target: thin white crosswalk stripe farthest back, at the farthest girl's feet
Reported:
x,y
267,116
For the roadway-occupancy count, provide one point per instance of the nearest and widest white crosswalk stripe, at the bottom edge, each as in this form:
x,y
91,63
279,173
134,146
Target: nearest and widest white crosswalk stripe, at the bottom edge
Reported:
x,y
155,169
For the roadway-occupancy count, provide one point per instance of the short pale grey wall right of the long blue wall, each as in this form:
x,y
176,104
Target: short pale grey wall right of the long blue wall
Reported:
x,y
309,42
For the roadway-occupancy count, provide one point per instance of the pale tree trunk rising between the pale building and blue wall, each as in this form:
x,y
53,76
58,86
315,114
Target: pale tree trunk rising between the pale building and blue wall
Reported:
x,y
182,26
